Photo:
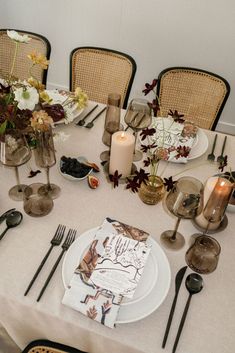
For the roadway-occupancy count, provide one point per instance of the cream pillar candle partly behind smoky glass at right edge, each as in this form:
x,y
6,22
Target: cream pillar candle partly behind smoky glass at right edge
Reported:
x,y
201,220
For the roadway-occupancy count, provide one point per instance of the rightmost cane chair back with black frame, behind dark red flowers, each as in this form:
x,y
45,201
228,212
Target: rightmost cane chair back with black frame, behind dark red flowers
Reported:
x,y
198,94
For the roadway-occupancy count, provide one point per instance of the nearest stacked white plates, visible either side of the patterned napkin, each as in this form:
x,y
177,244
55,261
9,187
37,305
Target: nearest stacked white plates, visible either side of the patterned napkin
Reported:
x,y
151,290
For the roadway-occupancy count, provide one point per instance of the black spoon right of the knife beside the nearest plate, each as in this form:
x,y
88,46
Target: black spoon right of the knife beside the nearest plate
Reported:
x,y
194,285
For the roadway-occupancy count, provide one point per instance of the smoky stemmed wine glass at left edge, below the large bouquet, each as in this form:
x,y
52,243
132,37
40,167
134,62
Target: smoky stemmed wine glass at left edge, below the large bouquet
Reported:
x,y
14,152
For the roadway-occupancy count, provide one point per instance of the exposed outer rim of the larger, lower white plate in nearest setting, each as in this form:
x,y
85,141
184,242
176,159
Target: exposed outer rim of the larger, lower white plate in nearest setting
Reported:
x,y
162,263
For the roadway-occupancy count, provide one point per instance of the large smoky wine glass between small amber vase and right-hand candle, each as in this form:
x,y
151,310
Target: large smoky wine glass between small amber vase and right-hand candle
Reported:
x,y
184,201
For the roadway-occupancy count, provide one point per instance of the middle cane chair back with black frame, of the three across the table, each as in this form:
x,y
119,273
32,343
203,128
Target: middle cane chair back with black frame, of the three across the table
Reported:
x,y
100,71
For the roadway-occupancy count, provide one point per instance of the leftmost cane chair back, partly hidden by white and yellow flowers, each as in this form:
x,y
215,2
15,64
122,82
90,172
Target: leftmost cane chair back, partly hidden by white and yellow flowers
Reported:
x,y
37,43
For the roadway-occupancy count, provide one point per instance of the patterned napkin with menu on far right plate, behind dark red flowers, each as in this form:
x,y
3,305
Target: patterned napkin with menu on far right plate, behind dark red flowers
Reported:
x,y
176,137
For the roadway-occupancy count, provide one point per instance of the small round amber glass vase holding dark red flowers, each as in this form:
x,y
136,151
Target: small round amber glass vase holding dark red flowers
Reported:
x,y
153,191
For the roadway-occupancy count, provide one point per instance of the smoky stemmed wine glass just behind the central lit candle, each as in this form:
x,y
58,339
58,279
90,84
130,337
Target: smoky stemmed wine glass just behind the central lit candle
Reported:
x,y
138,117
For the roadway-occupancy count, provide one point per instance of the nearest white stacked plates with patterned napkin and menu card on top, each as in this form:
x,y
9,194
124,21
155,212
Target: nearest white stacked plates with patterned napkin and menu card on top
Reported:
x,y
88,255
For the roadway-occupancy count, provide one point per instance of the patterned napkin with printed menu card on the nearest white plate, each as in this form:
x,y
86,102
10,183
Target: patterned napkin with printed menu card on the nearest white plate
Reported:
x,y
98,303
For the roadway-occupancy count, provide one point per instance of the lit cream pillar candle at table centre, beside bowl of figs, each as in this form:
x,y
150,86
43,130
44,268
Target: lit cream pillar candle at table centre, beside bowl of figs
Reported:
x,y
121,153
